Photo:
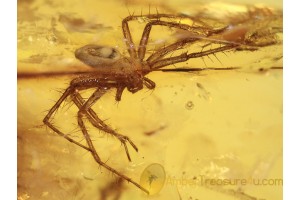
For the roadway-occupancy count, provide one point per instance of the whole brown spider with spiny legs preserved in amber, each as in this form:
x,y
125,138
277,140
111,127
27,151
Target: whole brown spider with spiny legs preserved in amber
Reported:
x,y
114,71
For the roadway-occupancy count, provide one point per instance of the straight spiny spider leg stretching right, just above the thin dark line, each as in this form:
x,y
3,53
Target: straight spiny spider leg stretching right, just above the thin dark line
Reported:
x,y
185,56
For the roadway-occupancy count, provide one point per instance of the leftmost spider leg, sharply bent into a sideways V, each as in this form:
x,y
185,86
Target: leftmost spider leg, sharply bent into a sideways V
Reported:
x,y
47,122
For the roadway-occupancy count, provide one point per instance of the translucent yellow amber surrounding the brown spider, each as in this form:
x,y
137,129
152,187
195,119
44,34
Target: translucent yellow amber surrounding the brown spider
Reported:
x,y
222,124
